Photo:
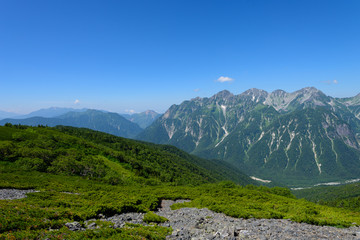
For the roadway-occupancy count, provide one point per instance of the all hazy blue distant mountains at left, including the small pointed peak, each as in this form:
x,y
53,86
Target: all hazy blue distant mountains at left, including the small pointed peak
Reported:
x,y
124,125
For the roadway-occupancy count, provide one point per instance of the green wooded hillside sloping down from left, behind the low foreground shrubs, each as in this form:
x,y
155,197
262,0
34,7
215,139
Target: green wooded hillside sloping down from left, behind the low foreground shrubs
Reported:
x,y
101,156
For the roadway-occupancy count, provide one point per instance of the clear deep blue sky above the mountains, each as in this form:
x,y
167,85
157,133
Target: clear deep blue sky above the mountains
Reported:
x,y
137,55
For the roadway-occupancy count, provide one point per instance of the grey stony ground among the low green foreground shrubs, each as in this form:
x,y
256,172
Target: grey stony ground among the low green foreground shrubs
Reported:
x,y
193,223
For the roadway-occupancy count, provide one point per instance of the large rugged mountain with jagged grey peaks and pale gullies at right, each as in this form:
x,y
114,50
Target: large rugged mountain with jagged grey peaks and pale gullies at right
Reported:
x,y
297,138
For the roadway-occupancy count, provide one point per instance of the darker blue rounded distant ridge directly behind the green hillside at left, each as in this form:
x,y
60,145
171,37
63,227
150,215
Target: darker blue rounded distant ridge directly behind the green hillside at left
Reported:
x,y
107,122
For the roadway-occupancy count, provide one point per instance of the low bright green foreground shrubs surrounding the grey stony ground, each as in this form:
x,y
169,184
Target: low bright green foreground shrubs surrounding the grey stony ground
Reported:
x,y
52,207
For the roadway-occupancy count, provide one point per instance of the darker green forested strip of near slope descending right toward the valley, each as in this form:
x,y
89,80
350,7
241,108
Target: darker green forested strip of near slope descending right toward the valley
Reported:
x,y
166,158
